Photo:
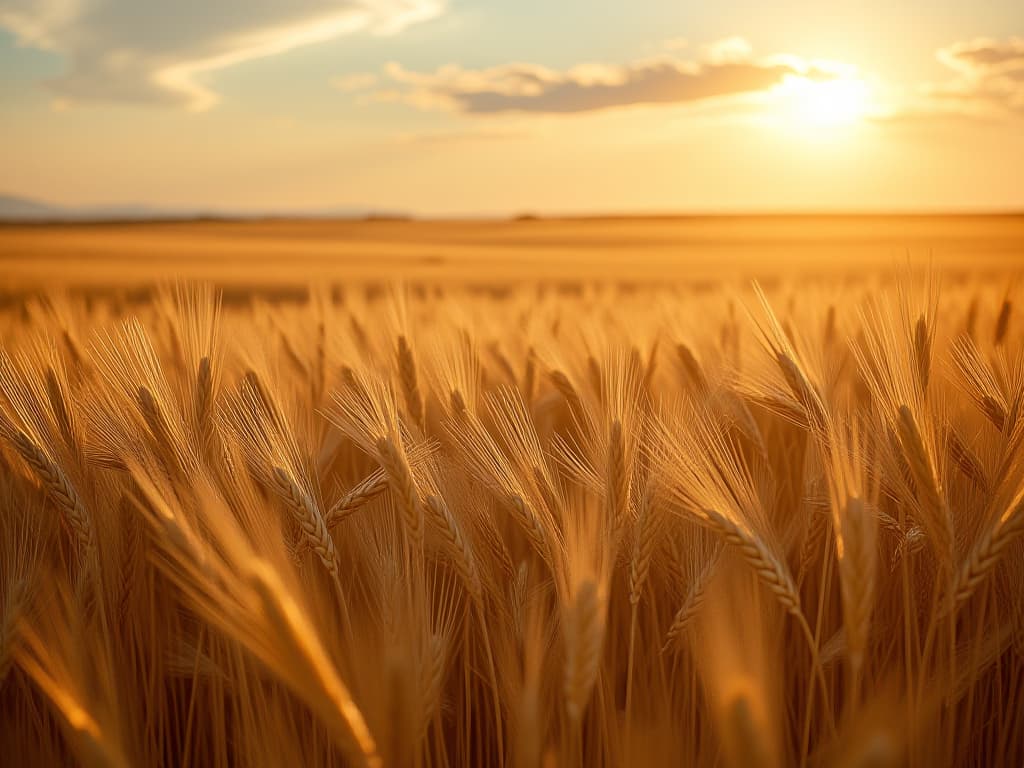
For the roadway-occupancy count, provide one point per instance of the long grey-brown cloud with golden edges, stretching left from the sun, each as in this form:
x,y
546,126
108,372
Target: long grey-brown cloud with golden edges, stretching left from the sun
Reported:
x,y
728,70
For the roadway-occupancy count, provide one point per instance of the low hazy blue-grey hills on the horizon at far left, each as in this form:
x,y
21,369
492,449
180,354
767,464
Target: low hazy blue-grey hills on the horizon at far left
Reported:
x,y
15,209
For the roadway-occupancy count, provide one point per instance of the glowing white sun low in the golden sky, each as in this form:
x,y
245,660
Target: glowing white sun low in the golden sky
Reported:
x,y
808,103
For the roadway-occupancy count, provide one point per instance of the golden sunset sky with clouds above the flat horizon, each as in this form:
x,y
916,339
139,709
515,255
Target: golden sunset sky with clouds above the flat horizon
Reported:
x,y
444,108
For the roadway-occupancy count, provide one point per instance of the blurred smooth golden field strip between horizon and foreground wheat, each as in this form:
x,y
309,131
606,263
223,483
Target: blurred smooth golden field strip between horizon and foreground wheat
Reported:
x,y
639,249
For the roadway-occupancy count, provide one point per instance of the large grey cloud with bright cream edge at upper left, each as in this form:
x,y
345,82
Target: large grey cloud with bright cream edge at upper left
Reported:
x,y
162,51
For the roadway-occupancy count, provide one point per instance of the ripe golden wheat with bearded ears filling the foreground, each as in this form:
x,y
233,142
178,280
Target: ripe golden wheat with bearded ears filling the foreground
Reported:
x,y
554,525
